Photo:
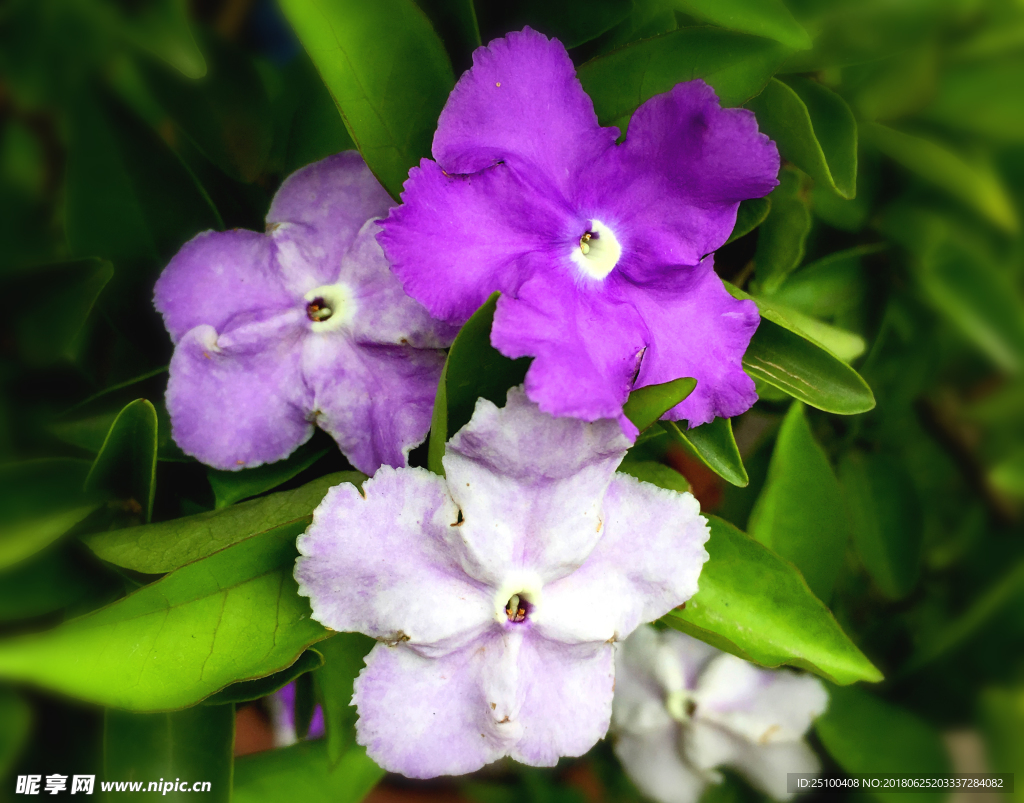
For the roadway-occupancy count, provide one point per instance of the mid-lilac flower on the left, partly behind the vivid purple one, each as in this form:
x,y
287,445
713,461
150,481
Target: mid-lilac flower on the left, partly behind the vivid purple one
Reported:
x,y
303,326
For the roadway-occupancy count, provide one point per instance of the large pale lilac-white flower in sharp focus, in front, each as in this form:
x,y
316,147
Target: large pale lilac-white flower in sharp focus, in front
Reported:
x,y
500,593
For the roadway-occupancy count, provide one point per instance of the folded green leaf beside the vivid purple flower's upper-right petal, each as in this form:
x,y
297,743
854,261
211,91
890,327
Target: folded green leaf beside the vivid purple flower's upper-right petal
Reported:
x,y
814,129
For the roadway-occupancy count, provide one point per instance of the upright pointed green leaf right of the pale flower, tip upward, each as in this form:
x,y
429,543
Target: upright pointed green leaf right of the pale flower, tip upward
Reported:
x,y
800,514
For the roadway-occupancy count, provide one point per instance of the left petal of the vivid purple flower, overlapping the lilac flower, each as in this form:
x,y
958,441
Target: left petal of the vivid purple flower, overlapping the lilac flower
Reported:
x,y
457,239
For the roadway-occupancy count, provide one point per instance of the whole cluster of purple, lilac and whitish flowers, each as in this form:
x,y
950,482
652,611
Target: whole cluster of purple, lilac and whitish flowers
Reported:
x,y
499,594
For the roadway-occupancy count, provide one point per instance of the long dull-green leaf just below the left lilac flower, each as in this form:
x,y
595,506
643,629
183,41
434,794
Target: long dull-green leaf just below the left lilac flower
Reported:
x,y
163,547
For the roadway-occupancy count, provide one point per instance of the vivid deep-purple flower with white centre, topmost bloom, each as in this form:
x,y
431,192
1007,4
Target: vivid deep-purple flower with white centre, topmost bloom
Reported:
x,y
603,252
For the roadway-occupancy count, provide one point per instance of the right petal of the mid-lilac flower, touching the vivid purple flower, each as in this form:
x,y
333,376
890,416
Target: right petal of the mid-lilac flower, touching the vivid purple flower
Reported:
x,y
385,315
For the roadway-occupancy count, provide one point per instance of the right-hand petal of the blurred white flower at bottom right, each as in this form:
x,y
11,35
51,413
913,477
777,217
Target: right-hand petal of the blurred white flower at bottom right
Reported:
x,y
764,706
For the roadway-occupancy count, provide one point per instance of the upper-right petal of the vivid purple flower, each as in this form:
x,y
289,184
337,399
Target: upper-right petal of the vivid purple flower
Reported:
x,y
677,181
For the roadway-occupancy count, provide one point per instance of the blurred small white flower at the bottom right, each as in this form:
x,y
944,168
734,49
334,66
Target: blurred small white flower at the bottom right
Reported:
x,y
684,708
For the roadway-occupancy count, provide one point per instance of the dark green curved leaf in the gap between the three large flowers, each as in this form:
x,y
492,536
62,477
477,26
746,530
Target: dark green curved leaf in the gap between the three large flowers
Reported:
x,y
475,369
